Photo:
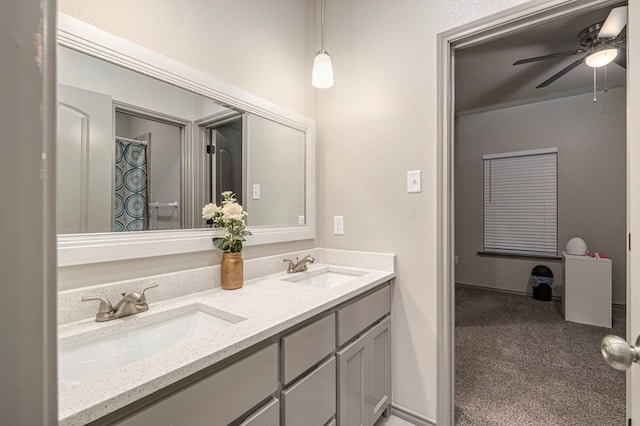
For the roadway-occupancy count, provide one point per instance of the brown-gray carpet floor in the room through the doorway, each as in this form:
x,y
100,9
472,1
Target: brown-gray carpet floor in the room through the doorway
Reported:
x,y
519,363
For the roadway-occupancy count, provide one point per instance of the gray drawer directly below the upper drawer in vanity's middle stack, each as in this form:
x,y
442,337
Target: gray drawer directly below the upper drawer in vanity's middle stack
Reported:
x,y
311,401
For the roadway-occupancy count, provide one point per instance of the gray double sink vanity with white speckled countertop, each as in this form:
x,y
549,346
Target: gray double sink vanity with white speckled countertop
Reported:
x,y
308,348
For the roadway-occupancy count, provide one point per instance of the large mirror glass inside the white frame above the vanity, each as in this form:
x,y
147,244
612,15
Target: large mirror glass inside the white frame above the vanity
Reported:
x,y
138,154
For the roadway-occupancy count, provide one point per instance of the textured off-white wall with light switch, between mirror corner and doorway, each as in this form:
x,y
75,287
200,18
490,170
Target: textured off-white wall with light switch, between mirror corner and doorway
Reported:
x,y
375,124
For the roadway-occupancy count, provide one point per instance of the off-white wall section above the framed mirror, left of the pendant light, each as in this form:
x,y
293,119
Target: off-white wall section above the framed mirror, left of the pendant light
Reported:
x,y
260,46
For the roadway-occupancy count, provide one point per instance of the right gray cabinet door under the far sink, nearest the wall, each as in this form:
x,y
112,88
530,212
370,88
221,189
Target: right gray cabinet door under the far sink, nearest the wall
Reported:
x,y
379,369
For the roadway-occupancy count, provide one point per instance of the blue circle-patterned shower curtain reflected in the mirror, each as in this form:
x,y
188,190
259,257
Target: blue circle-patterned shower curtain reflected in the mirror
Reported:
x,y
130,209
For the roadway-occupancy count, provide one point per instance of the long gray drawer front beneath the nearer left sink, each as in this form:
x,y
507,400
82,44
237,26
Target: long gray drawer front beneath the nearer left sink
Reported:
x,y
218,399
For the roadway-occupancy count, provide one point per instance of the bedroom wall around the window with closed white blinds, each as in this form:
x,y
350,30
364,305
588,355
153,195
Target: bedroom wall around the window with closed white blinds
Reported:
x,y
591,142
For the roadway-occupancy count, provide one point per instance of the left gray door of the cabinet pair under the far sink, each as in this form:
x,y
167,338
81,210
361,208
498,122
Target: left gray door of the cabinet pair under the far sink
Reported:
x,y
352,391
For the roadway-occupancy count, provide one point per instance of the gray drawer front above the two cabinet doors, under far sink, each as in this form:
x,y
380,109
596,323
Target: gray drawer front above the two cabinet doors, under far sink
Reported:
x,y
354,318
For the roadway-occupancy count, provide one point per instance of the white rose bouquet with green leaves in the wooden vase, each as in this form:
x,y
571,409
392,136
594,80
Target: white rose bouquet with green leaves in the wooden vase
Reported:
x,y
231,216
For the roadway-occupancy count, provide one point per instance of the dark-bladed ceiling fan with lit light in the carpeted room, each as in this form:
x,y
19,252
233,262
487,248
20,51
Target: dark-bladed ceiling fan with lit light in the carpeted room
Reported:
x,y
601,44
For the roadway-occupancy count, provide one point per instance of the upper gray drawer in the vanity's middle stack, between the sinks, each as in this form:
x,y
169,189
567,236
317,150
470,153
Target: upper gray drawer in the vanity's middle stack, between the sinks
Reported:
x,y
306,347
